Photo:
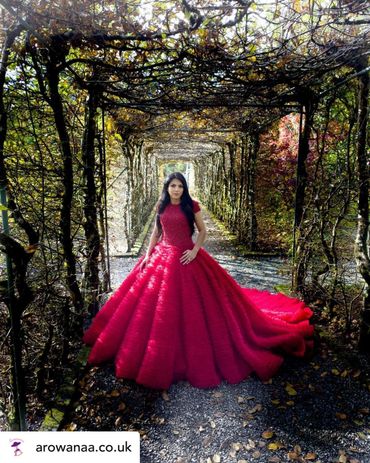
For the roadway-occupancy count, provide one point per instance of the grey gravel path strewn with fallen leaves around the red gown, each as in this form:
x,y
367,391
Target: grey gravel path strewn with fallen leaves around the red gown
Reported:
x,y
314,410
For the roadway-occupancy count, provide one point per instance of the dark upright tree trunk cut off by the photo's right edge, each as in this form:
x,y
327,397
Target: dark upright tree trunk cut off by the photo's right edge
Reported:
x,y
361,243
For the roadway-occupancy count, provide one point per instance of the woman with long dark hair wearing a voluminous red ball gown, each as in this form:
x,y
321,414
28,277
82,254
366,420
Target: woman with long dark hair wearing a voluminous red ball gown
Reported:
x,y
179,315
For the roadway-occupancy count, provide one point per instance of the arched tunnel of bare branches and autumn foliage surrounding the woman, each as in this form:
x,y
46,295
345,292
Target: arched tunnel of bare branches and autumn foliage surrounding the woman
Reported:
x,y
268,100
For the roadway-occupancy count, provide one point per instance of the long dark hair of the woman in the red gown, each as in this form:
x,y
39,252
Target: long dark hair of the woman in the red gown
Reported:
x,y
186,201
